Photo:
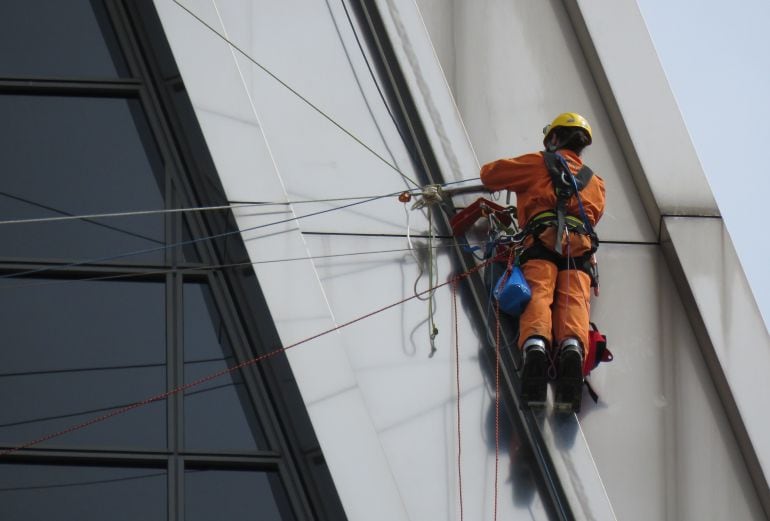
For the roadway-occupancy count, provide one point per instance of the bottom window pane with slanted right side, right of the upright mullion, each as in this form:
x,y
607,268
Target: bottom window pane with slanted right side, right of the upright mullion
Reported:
x,y
235,494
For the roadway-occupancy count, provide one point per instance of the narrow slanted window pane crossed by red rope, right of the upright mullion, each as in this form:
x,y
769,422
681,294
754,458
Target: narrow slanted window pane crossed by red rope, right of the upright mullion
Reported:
x,y
218,414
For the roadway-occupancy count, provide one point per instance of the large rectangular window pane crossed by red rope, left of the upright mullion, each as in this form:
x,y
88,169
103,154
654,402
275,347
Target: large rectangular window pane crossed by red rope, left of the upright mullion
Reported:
x,y
74,350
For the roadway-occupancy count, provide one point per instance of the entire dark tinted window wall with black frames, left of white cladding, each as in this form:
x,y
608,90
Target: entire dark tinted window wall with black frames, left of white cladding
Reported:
x,y
79,136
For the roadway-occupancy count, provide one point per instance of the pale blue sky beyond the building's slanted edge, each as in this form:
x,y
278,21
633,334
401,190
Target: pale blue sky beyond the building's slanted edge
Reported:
x,y
716,55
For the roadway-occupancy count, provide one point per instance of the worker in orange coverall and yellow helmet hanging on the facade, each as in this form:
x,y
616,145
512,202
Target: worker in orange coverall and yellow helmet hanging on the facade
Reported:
x,y
559,201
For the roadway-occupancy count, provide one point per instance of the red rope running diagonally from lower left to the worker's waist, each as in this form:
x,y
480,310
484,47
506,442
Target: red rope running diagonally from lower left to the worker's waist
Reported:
x,y
246,363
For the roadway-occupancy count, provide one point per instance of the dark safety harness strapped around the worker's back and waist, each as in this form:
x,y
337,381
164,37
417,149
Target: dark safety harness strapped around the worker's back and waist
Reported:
x,y
565,186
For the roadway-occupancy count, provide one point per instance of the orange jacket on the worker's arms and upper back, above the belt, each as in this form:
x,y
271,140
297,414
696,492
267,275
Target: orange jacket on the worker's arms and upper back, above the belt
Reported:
x,y
528,177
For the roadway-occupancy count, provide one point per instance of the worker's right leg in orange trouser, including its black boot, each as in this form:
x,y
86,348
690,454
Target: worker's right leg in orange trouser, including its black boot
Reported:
x,y
571,316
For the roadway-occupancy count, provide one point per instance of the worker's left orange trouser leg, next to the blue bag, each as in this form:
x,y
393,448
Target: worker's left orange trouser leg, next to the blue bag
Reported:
x,y
535,321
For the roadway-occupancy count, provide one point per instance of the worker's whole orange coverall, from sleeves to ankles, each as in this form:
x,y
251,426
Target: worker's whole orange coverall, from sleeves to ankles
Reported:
x,y
564,294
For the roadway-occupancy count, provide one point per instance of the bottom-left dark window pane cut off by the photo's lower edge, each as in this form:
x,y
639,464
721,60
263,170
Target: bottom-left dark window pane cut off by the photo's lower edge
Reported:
x,y
84,493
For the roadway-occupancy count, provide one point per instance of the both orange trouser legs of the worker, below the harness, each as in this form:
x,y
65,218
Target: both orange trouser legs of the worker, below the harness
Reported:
x,y
560,305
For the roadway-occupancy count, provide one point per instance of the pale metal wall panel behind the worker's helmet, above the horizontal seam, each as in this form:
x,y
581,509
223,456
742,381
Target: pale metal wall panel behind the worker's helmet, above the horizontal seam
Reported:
x,y
517,65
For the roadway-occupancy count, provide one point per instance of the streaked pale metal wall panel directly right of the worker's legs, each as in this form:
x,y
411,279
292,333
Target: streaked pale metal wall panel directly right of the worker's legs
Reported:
x,y
661,440
